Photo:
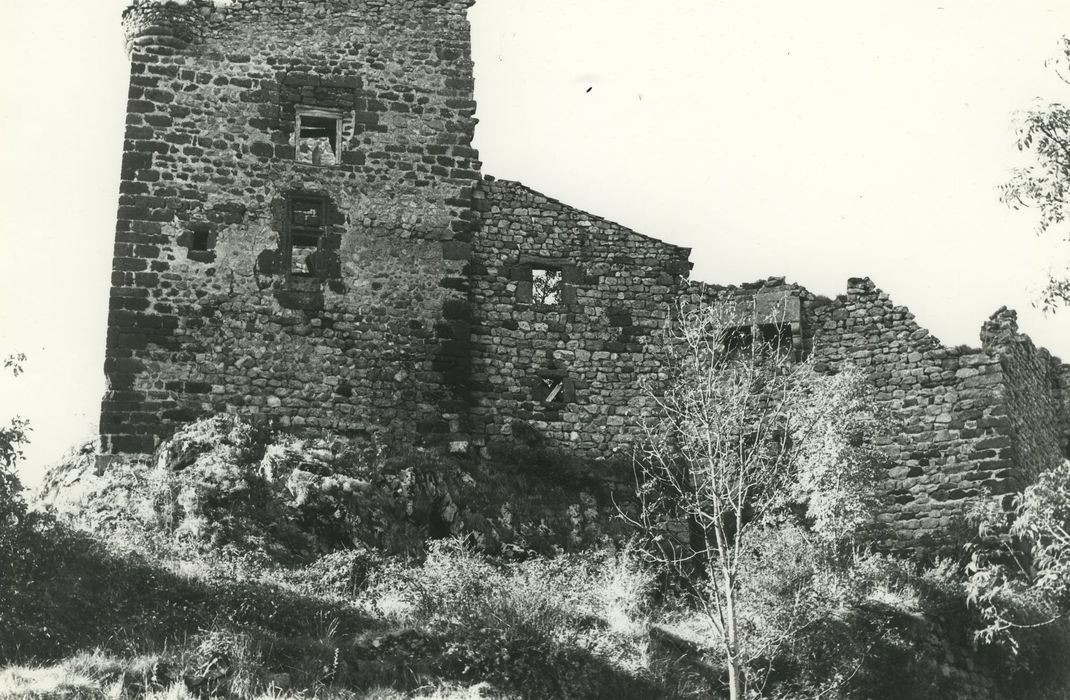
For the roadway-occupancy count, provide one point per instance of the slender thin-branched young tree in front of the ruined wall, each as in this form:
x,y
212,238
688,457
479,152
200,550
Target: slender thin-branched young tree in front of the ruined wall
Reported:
x,y
744,433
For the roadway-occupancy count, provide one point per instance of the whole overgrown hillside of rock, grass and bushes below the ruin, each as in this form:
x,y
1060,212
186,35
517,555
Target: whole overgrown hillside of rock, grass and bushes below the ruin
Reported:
x,y
243,564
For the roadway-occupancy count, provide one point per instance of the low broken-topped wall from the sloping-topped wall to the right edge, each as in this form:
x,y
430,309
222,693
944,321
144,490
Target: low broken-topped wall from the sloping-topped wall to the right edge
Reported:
x,y
965,422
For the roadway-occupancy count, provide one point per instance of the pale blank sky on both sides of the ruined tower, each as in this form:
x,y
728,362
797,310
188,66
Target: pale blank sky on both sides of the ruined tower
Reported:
x,y
817,141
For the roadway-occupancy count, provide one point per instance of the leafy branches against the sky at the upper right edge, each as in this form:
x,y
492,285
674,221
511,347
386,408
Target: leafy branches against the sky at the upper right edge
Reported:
x,y
1045,186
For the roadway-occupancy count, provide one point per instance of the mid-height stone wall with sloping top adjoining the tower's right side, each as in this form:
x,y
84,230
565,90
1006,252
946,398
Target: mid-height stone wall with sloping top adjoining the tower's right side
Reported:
x,y
617,290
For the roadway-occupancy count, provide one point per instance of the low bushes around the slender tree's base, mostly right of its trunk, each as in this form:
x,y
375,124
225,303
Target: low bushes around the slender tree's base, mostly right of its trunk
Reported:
x,y
877,628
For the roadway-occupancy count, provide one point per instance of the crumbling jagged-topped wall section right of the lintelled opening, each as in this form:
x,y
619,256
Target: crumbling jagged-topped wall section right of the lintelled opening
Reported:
x,y
955,434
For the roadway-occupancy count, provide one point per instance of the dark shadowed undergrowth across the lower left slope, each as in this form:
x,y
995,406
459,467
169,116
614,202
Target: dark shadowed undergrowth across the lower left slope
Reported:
x,y
84,620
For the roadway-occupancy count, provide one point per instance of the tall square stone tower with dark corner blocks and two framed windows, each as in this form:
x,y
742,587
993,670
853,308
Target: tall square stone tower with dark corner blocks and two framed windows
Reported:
x,y
213,306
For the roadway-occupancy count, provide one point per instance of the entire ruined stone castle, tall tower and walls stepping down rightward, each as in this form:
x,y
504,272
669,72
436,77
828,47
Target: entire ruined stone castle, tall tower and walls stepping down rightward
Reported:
x,y
305,239
